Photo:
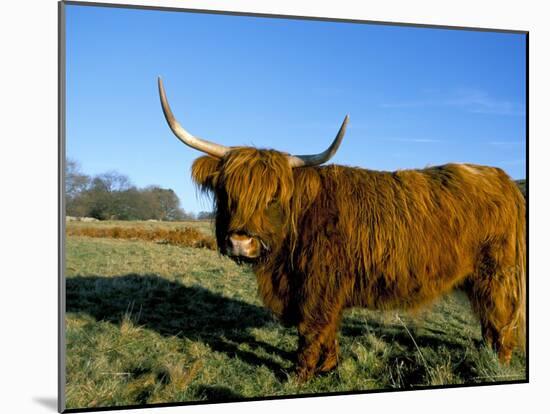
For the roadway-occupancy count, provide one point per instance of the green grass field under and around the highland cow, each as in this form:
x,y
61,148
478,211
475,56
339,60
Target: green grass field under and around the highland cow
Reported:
x,y
149,322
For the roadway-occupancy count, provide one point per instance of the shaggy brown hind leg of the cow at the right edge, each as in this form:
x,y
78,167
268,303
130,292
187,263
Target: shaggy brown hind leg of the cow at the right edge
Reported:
x,y
493,290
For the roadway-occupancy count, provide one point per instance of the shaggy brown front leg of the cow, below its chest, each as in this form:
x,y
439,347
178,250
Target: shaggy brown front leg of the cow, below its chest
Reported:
x,y
317,348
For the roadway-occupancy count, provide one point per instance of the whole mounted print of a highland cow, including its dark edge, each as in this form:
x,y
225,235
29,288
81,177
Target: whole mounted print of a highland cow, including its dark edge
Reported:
x,y
258,207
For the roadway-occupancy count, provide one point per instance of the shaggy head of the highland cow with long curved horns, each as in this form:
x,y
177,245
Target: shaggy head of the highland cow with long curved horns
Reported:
x,y
254,190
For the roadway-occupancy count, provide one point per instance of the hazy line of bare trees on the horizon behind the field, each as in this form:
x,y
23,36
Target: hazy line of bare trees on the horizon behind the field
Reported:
x,y
112,196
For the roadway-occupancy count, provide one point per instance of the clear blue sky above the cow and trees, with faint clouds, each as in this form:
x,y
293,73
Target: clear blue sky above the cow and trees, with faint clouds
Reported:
x,y
415,96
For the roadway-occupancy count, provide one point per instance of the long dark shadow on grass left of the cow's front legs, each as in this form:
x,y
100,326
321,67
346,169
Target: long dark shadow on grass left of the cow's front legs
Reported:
x,y
172,309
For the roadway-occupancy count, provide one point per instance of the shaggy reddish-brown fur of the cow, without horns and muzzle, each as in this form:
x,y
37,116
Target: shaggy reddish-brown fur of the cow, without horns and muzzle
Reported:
x,y
336,237
